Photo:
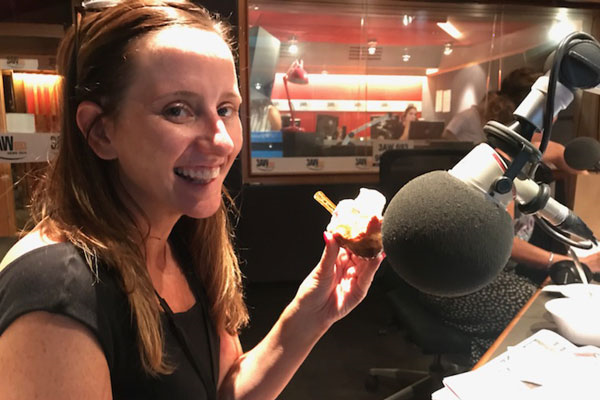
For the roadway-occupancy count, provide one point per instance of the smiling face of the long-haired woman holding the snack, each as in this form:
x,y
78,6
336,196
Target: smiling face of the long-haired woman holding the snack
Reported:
x,y
177,130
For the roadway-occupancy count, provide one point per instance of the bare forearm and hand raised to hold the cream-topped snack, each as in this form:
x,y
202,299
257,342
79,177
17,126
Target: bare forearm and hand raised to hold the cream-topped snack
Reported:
x,y
337,284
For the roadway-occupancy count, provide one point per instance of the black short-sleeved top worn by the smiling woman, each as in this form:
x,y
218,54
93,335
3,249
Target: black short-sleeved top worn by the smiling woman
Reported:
x,y
56,279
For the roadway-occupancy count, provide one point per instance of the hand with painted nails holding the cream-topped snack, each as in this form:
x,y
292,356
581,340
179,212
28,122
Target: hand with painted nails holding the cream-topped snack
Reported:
x,y
338,283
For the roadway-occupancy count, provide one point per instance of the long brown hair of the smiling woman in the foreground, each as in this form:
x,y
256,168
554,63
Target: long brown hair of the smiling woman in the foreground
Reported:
x,y
79,198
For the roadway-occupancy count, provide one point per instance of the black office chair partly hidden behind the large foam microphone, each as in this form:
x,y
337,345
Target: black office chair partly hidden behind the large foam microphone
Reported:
x,y
422,327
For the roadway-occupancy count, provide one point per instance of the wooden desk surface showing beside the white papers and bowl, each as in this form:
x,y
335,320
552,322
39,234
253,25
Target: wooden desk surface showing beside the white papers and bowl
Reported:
x,y
530,319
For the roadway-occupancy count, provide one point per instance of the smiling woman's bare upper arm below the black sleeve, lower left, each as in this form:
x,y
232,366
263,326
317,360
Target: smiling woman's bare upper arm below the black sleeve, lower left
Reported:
x,y
52,357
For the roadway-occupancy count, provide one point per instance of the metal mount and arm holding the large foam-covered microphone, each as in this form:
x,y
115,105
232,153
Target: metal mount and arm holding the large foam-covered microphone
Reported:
x,y
575,65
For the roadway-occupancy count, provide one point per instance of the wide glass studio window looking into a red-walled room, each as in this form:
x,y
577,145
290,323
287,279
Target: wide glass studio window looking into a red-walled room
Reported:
x,y
331,86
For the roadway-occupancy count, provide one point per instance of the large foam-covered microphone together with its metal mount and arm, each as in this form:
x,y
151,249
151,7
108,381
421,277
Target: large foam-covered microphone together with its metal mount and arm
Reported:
x,y
448,233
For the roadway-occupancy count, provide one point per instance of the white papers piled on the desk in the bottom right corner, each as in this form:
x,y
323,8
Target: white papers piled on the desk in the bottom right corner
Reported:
x,y
543,366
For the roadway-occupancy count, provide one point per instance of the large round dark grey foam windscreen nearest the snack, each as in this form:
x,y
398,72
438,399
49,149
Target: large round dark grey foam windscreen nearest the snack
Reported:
x,y
443,237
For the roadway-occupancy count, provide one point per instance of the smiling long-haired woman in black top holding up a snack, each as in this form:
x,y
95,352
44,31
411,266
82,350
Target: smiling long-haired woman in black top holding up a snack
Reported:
x,y
128,286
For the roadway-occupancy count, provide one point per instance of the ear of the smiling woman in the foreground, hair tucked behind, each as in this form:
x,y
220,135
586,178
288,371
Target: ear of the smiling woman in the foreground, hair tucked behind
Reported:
x,y
94,127
